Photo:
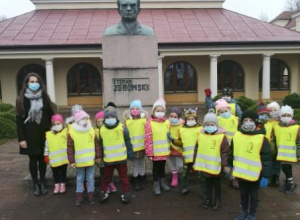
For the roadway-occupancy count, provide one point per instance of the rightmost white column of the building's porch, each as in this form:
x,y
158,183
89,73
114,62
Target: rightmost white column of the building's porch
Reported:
x,y
266,76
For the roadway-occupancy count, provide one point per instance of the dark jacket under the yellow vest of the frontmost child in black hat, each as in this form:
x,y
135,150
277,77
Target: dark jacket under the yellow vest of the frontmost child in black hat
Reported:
x,y
265,153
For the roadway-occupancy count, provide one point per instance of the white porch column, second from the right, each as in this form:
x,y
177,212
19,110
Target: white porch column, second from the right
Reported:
x,y
213,83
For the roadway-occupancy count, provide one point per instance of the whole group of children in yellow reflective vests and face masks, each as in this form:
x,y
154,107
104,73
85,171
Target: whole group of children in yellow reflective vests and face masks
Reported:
x,y
250,148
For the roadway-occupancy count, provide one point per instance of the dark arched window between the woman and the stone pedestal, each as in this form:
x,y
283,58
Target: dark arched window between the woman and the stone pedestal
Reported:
x,y
84,79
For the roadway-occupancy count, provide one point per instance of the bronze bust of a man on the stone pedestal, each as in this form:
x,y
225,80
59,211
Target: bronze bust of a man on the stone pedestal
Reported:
x,y
129,10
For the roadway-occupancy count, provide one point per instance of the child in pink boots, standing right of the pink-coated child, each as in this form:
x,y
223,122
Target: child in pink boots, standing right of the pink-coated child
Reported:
x,y
176,149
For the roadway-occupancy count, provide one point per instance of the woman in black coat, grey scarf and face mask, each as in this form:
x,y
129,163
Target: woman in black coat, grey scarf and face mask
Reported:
x,y
34,111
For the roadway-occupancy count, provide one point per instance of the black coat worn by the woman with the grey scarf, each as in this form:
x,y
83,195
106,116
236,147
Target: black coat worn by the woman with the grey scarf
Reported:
x,y
33,133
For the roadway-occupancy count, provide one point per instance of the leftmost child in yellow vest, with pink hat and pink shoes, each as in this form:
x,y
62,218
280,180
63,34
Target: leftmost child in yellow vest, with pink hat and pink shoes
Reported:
x,y
55,153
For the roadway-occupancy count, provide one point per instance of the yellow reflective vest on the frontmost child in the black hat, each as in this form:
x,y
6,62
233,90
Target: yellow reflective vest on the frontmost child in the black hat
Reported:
x,y
247,160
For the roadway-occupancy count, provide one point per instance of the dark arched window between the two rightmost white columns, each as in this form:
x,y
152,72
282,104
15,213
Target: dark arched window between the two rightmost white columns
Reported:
x,y
230,74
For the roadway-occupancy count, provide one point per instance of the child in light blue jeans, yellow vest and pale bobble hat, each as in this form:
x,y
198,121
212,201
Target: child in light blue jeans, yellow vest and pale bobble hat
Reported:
x,y
83,152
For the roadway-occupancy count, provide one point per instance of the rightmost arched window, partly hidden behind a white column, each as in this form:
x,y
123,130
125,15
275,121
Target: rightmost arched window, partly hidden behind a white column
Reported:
x,y
280,76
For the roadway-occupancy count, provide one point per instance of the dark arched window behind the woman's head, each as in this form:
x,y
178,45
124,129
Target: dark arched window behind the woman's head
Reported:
x,y
30,68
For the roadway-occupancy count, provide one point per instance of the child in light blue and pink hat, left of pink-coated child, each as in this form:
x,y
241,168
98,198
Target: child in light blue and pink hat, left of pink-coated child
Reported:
x,y
136,127
